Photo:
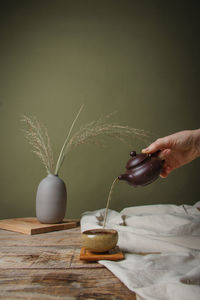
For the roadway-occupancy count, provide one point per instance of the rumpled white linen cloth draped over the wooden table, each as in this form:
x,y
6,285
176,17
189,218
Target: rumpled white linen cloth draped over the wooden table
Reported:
x,y
170,233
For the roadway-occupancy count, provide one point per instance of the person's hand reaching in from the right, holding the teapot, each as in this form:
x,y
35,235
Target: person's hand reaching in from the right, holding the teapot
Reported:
x,y
177,149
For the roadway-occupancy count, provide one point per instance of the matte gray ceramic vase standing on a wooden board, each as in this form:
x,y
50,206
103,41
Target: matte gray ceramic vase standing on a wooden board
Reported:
x,y
51,200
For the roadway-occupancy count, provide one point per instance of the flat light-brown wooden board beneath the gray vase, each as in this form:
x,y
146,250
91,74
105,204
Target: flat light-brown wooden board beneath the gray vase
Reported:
x,y
33,226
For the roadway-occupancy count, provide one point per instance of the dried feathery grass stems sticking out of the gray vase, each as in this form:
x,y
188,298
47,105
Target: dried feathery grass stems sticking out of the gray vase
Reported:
x,y
93,132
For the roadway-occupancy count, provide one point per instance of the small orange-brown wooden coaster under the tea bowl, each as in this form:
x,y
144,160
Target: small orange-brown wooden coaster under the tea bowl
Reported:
x,y
114,254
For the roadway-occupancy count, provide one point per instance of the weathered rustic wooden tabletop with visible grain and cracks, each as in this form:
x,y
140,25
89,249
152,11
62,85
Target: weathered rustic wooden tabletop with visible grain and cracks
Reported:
x,y
47,266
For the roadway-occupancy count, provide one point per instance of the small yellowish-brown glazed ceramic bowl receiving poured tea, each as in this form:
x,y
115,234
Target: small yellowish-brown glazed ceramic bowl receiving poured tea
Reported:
x,y
99,240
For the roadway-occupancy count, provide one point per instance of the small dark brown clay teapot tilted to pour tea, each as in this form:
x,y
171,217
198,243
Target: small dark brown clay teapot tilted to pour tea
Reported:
x,y
142,169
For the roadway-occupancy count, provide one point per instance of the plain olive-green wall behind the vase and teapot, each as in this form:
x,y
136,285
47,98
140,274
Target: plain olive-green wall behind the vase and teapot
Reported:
x,y
140,58
